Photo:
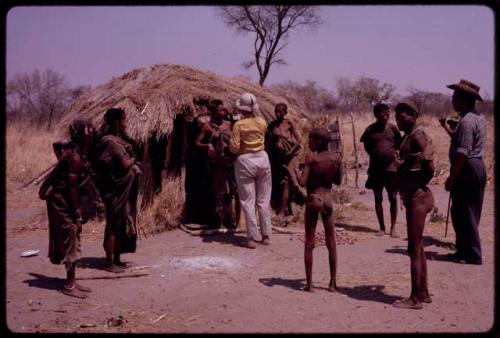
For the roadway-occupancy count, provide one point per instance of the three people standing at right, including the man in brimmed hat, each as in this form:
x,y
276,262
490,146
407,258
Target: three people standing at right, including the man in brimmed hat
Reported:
x,y
404,165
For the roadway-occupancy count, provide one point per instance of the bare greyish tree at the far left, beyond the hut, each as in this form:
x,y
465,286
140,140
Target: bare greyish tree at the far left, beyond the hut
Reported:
x,y
39,96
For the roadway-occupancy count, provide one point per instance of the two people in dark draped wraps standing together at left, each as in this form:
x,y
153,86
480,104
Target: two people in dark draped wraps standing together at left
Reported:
x,y
96,172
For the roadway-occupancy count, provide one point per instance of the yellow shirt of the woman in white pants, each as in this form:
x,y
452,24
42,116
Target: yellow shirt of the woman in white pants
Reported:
x,y
248,135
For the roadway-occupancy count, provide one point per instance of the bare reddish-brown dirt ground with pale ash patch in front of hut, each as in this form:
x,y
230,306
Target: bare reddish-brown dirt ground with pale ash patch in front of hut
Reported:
x,y
178,283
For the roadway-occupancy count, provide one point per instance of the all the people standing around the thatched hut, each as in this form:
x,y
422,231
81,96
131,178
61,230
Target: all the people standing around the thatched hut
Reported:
x,y
251,160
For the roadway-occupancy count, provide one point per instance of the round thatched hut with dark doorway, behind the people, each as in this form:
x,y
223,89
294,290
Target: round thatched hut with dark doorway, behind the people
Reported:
x,y
161,115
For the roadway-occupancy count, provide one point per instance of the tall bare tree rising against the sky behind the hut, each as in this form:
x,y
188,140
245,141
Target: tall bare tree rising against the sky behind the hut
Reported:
x,y
272,26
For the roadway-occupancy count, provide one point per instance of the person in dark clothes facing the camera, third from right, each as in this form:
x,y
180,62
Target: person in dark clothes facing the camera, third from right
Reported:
x,y
381,140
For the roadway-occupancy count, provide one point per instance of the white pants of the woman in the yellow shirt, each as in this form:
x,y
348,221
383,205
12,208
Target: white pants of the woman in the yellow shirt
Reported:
x,y
253,177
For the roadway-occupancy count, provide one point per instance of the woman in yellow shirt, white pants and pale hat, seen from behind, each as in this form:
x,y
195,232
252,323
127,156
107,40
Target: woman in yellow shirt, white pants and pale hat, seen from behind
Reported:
x,y
252,169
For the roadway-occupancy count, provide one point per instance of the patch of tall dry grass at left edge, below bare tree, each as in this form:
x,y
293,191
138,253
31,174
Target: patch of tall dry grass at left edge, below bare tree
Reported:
x,y
28,151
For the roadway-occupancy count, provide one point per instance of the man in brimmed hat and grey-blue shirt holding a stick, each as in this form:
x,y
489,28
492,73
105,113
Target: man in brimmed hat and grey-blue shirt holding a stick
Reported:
x,y
467,178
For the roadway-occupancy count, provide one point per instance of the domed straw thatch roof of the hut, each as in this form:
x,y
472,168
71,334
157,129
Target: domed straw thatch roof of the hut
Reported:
x,y
160,92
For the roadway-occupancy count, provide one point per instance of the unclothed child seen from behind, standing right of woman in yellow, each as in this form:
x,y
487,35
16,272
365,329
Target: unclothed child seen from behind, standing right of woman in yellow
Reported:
x,y
321,169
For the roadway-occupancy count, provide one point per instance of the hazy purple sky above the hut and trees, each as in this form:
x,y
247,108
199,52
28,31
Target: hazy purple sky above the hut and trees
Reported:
x,y
426,47
